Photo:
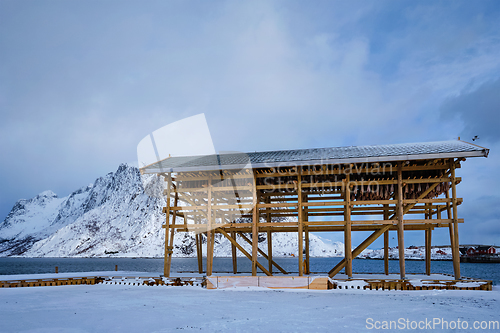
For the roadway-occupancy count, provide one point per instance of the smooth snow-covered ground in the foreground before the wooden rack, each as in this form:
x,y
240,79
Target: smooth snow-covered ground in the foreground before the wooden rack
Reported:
x,y
118,308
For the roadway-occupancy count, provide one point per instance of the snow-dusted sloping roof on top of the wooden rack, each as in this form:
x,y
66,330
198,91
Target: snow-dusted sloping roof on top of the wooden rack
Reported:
x,y
336,155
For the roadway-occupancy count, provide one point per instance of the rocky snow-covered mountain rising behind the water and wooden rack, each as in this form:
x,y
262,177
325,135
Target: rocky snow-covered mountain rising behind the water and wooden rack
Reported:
x,y
114,217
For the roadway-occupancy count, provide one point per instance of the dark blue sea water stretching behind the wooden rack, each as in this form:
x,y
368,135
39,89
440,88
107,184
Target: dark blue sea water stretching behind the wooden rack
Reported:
x,y
487,271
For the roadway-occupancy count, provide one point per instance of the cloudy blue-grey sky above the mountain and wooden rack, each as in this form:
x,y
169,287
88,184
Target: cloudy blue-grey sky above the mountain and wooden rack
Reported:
x,y
82,82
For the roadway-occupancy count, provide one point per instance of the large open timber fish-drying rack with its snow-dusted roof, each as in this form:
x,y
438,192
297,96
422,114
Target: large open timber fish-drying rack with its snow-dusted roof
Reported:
x,y
346,189
